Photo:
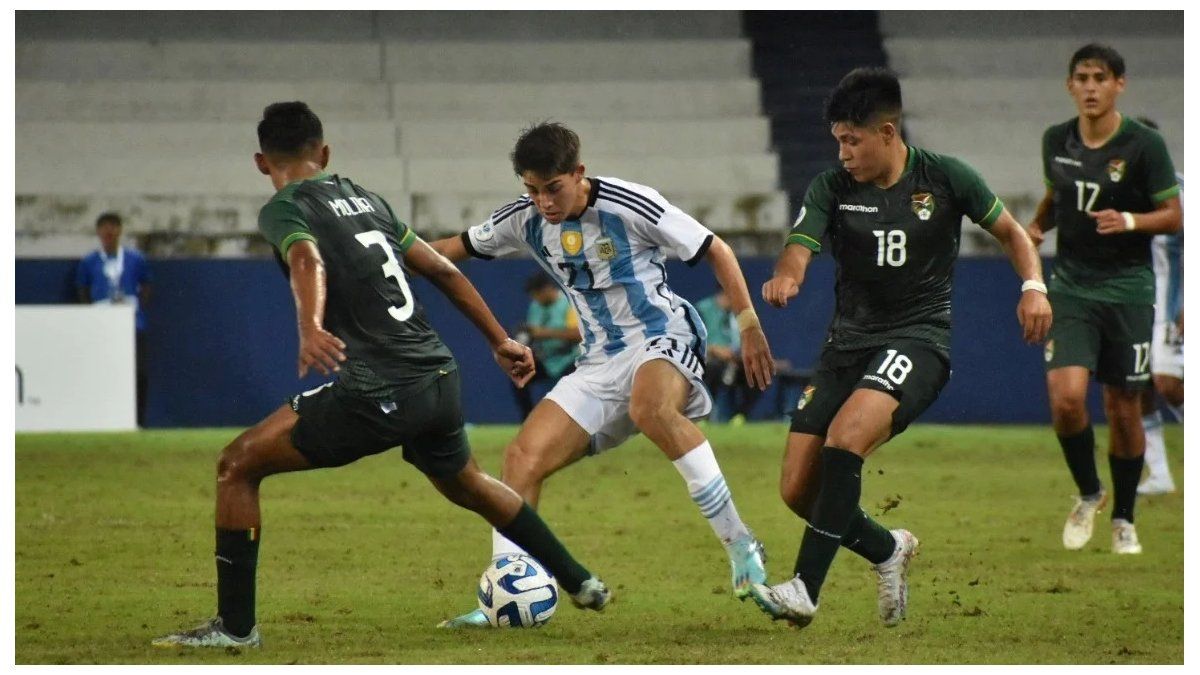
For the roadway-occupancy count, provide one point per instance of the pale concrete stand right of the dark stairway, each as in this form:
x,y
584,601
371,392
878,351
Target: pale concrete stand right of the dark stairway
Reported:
x,y
986,86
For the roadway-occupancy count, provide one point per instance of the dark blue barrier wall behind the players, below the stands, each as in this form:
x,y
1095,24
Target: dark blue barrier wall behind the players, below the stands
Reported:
x,y
223,343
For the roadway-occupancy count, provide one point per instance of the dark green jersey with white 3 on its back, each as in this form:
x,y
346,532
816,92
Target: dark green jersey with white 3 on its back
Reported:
x,y
391,347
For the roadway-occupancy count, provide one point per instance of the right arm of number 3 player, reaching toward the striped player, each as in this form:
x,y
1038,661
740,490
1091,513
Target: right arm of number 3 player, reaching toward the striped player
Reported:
x,y
514,359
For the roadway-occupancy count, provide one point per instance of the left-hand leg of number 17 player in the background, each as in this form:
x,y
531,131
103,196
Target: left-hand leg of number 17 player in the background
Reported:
x,y
1069,391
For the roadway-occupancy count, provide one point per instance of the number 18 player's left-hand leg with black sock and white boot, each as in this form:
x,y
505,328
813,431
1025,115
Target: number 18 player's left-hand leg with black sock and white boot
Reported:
x,y
863,425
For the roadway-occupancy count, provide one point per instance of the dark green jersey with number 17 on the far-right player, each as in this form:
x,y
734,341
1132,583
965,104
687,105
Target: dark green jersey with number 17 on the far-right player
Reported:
x,y
1132,172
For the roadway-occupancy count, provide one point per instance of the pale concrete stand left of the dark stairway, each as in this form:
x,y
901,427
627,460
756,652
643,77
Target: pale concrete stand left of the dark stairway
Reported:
x,y
154,115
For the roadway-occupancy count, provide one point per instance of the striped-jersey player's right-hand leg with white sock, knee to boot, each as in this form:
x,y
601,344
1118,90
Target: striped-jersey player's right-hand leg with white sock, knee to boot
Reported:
x,y
661,397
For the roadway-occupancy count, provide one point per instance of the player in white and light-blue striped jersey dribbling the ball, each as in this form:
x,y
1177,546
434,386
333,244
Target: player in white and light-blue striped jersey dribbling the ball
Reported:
x,y
641,366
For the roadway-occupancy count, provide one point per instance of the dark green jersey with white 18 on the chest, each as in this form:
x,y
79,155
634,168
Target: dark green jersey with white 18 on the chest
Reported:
x,y
895,248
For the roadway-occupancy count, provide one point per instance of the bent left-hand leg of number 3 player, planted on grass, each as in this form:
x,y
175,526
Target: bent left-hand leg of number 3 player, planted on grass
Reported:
x,y
262,451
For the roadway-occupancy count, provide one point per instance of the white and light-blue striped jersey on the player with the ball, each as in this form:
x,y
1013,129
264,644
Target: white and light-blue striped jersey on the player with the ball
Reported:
x,y
610,261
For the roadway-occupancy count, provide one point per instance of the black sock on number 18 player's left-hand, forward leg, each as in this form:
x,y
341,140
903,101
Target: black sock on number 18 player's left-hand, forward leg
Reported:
x,y
842,485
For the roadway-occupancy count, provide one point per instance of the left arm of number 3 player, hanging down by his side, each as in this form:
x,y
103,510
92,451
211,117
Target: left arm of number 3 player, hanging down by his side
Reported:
x,y
319,348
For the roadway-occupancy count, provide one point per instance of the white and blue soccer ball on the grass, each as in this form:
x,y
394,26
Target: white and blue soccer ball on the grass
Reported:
x,y
517,592
